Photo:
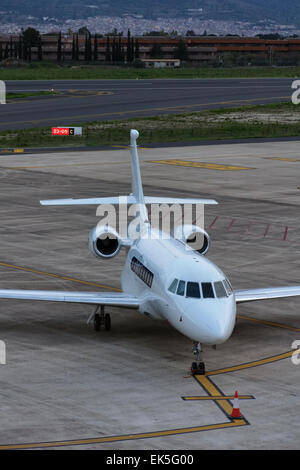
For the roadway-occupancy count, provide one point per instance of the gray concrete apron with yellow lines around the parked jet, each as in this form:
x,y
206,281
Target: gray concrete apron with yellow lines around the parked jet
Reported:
x,y
66,386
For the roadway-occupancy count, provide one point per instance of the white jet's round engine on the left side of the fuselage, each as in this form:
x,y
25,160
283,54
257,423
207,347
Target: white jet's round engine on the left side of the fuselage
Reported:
x,y
104,242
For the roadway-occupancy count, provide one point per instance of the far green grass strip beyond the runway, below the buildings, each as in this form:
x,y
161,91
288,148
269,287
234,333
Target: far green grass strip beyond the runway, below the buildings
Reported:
x,y
45,71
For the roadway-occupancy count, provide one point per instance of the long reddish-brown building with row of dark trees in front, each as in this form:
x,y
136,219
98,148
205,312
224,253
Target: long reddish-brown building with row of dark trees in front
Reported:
x,y
156,50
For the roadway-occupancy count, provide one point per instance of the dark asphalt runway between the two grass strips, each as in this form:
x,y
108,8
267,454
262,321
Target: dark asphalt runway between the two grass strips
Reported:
x,y
100,100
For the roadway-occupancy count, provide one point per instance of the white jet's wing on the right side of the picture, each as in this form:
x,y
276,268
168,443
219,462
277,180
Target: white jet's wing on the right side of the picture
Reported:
x,y
251,295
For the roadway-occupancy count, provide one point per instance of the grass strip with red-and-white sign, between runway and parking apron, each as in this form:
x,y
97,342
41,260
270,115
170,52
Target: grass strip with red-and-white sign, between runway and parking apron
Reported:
x,y
274,120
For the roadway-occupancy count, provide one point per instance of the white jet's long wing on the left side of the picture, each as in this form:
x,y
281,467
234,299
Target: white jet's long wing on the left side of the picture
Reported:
x,y
113,299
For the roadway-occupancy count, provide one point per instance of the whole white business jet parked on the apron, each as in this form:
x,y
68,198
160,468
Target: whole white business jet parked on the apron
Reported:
x,y
161,278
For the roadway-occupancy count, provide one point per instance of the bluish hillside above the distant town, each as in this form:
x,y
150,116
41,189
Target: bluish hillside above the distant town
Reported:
x,y
242,10
